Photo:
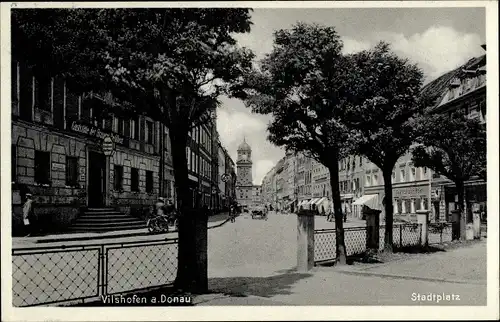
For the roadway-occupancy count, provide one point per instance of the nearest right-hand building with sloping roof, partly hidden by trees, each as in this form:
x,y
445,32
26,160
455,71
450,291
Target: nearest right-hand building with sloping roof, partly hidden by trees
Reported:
x,y
417,188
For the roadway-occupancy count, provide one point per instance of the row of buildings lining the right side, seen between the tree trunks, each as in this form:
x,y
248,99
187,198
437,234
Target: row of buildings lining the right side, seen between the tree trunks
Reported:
x,y
361,182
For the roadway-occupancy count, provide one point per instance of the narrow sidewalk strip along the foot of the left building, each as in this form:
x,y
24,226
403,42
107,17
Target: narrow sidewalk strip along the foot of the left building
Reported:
x,y
119,235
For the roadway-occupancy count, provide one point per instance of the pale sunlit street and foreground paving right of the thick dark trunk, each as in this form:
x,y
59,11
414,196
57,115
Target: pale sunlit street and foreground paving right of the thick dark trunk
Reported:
x,y
255,259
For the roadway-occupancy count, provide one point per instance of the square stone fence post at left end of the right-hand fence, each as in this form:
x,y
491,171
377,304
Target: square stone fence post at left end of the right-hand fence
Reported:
x,y
305,240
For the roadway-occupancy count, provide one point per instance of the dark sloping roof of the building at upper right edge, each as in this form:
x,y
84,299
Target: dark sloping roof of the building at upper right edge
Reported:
x,y
437,89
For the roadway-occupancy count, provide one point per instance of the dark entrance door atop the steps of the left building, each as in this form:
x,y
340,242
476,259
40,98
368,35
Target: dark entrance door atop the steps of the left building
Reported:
x,y
97,184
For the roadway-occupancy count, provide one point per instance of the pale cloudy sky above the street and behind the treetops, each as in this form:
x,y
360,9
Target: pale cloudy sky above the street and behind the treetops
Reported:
x,y
437,39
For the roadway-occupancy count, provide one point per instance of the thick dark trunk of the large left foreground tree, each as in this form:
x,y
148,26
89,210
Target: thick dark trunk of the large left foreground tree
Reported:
x,y
192,248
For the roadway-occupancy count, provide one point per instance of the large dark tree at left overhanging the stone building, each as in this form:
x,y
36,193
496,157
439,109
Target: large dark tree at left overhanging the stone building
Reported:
x,y
169,64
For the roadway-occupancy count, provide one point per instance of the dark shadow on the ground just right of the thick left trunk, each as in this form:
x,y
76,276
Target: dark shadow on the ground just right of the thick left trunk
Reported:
x,y
256,286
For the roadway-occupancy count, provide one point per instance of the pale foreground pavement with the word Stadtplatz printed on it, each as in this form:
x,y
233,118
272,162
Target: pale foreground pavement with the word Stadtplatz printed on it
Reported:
x,y
460,272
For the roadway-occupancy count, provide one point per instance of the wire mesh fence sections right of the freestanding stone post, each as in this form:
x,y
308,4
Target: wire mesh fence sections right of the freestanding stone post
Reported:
x,y
355,240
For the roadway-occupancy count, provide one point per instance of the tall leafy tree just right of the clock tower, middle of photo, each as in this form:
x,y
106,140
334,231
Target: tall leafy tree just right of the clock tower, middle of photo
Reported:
x,y
303,83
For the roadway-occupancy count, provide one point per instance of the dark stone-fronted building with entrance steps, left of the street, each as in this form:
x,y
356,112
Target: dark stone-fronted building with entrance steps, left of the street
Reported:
x,y
57,154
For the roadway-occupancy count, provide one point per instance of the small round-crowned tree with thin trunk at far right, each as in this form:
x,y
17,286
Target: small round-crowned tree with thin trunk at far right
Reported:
x,y
454,146
